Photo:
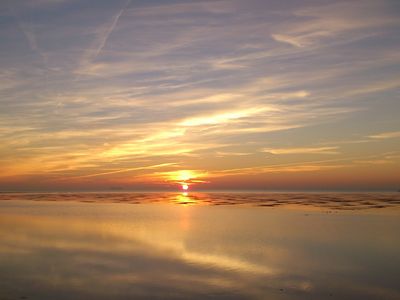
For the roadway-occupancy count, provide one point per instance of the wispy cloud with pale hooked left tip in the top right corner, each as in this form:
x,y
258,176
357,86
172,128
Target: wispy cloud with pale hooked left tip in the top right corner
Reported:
x,y
317,25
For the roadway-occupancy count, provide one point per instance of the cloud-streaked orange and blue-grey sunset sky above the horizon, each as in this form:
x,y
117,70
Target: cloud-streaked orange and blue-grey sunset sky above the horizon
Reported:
x,y
217,95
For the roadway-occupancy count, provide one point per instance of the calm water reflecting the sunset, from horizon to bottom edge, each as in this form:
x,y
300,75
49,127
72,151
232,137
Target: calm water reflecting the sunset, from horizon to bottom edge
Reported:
x,y
197,246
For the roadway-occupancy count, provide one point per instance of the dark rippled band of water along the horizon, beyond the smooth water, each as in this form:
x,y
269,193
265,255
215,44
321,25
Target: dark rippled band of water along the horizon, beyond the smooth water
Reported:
x,y
330,201
